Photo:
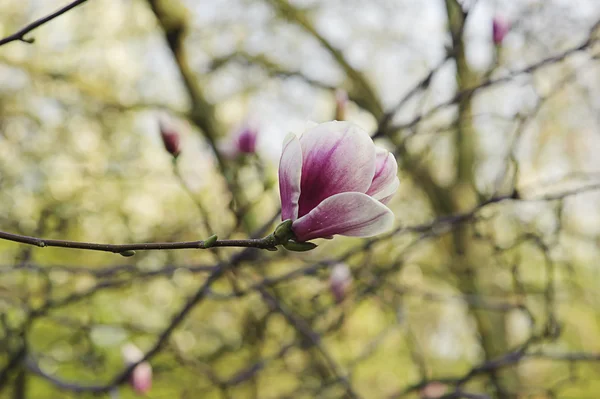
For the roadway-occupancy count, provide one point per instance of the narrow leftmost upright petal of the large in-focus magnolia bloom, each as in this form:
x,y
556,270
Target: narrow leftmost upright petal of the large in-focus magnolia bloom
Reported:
x,y
290,172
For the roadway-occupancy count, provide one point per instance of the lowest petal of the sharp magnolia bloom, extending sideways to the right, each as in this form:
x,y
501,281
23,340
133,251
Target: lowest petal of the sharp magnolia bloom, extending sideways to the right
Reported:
x,y
349,214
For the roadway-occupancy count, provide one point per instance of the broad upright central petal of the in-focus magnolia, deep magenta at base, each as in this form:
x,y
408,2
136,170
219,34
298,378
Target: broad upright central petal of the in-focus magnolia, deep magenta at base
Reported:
x,y
337,157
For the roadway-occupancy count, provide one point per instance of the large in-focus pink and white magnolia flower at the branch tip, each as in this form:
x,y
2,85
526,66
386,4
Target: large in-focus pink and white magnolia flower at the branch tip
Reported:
x,y
334,180
